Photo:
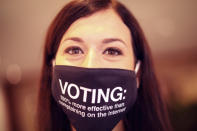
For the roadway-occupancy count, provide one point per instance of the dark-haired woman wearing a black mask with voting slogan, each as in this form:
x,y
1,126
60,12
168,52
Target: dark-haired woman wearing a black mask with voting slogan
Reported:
x,y
98,39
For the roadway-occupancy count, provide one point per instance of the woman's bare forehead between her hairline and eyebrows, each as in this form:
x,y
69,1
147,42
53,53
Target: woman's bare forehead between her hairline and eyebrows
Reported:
x,y
102,24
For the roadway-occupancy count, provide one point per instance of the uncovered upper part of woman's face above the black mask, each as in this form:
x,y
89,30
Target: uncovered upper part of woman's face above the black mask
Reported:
x,y
100,40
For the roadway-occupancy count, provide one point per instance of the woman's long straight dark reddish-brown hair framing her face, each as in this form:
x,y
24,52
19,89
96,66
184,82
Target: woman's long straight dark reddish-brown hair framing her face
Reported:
x,y
148,113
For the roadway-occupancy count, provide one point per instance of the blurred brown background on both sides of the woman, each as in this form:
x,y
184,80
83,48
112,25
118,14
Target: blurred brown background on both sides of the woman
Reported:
x,y
171,30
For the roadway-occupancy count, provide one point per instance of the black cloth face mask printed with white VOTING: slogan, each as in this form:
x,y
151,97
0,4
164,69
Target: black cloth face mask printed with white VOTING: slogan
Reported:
x,y
94,99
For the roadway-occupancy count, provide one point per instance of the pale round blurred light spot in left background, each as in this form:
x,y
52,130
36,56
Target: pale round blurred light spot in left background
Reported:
x,y
13,73
